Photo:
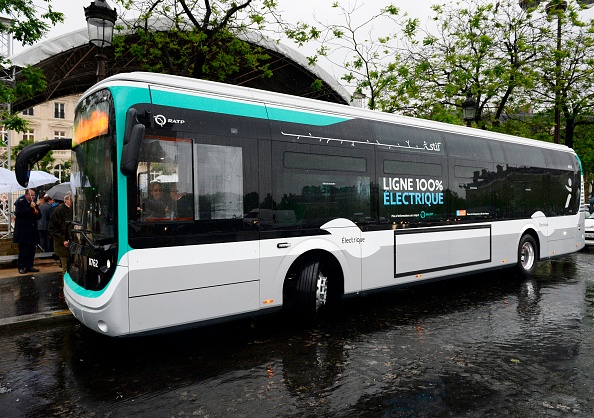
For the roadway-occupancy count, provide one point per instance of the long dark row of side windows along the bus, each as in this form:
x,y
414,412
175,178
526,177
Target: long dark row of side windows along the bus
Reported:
x,y
210,188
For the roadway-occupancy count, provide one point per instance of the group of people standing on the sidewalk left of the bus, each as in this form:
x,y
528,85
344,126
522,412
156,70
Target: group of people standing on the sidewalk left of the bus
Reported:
x,y
42,222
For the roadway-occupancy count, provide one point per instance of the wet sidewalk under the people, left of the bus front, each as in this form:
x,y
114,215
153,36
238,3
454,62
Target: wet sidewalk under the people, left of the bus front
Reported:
x,y
27,299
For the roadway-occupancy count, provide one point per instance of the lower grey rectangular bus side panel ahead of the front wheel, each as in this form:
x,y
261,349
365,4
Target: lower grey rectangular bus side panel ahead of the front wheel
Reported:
x,y
185,307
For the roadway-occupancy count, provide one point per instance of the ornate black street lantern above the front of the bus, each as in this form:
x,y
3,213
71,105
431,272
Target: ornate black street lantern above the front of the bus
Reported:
x,y
100,22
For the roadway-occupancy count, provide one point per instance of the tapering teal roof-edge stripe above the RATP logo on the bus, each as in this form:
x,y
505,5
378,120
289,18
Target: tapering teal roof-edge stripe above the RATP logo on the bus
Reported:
x,y
250,110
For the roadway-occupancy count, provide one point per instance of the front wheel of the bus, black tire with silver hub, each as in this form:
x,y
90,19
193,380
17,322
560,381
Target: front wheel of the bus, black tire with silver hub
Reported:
x,y
311,291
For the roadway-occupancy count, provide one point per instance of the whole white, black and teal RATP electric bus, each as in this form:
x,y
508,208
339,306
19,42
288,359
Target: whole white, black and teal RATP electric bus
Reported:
x,y
290,203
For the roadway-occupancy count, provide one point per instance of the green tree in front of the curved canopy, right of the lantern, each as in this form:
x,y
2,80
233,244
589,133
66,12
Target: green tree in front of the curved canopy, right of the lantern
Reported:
x,y
196,38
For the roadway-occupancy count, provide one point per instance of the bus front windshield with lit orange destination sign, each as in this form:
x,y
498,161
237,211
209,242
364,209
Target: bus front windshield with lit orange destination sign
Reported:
x,y
92,171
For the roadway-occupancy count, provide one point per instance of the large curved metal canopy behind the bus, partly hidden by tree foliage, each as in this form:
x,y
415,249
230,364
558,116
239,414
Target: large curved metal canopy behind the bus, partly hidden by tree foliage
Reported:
x,y
69,64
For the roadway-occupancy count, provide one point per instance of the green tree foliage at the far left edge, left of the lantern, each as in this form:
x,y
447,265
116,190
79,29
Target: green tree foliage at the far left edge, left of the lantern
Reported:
x,y
27,27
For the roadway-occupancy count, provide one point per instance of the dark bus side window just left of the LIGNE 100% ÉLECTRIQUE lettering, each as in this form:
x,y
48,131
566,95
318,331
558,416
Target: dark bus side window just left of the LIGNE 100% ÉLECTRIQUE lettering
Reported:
x,y
313,185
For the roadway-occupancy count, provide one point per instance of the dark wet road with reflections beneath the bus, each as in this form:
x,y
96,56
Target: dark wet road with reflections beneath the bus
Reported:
x,y
485,345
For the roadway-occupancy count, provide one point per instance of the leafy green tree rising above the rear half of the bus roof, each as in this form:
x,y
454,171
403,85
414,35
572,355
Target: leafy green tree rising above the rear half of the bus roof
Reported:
x,y
481,48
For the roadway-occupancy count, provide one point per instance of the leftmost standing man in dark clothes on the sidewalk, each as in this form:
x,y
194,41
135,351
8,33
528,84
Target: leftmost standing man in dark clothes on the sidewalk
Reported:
x,y
26,234
